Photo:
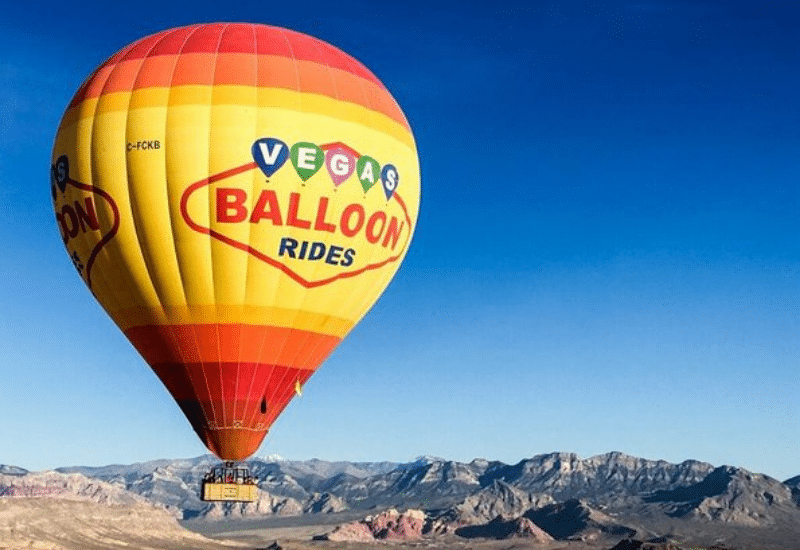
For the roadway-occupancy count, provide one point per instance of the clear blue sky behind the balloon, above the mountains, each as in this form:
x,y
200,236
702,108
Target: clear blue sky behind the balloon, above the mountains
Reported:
x,y
606,258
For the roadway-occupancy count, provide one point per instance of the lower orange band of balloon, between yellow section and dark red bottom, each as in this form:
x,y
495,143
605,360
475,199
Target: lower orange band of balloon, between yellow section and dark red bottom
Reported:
x,y
209,343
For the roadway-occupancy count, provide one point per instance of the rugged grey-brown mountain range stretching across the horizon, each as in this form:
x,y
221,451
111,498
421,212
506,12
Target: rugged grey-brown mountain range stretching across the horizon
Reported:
x,y
558,495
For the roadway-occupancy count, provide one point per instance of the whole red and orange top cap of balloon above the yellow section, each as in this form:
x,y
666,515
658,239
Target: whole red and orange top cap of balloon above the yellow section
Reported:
x,y
218,54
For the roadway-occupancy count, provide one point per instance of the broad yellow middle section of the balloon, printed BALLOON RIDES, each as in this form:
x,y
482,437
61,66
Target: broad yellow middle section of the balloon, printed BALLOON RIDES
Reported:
x,y
243,233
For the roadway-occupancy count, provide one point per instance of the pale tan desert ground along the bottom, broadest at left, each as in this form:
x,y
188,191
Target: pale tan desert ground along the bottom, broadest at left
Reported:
x,y
47,524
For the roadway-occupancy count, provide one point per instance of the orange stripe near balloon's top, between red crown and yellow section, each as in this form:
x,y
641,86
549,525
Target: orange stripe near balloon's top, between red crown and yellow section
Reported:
x,y
267,71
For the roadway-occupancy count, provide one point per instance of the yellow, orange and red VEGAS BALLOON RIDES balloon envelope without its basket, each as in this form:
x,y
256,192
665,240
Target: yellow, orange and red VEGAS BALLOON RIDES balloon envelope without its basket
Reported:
x,y
237,197
